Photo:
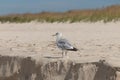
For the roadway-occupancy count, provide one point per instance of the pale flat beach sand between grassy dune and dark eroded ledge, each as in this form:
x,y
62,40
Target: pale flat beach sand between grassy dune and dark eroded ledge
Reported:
x,y
95,41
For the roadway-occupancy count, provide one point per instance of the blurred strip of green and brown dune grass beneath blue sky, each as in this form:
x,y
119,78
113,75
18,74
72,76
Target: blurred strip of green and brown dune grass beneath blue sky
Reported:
x,y
111,13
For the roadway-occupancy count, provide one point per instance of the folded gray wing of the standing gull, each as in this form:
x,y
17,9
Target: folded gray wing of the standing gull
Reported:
x,y
64,44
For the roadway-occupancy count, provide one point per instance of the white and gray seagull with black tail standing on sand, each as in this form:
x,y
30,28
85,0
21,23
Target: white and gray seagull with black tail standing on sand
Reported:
x,y
63,44
